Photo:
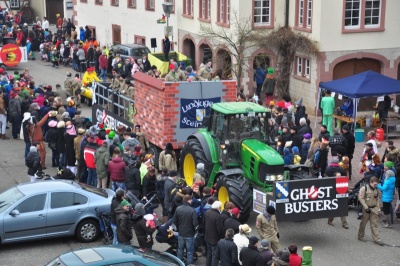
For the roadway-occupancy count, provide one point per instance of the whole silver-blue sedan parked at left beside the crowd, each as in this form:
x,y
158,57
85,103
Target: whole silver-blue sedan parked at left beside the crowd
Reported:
x,y
52,209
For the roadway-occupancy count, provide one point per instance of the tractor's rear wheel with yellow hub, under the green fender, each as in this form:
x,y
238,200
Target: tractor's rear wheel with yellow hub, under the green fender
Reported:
x,y
192,154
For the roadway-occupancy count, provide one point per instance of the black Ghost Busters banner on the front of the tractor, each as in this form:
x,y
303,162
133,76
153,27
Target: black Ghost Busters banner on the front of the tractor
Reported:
x,y
311,199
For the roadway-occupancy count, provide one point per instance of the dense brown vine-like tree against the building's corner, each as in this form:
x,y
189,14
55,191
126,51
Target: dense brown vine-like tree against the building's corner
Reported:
x,y
287,43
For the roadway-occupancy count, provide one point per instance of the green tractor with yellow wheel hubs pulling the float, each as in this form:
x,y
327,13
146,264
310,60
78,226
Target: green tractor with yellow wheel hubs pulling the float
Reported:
x,y
234,147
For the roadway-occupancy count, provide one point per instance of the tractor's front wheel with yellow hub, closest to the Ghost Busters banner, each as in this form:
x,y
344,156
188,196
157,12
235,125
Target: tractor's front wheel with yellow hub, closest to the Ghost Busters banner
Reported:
x,y
236,189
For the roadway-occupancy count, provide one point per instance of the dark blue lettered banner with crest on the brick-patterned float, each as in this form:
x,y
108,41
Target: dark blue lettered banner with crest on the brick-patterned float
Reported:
x,y
194,110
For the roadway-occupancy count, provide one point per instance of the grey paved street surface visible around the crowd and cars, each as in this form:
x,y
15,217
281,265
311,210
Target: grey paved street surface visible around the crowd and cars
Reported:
x,y
332,245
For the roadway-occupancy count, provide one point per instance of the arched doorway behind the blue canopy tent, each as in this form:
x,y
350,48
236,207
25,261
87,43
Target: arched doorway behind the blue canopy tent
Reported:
x,y
354,66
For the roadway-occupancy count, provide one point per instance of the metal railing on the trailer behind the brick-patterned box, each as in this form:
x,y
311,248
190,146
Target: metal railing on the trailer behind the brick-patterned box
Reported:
x,y
114,101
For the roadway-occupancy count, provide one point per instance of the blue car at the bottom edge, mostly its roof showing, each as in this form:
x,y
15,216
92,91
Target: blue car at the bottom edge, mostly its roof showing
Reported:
x,y
115,255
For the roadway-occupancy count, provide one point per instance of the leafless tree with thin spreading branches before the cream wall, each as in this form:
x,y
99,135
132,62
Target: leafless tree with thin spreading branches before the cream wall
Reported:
x,y
238,40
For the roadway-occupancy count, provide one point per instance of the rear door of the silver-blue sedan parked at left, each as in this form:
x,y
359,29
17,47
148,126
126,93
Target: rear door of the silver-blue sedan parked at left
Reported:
x,y
65,210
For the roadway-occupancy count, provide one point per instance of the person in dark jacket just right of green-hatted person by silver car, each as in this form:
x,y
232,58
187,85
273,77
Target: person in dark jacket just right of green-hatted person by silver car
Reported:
x,y
143,232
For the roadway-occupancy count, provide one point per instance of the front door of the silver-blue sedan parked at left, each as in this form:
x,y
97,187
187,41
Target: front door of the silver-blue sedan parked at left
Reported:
x,y
27,220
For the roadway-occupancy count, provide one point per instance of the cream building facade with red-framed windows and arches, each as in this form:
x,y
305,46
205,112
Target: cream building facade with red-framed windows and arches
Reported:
x,y
353,35
